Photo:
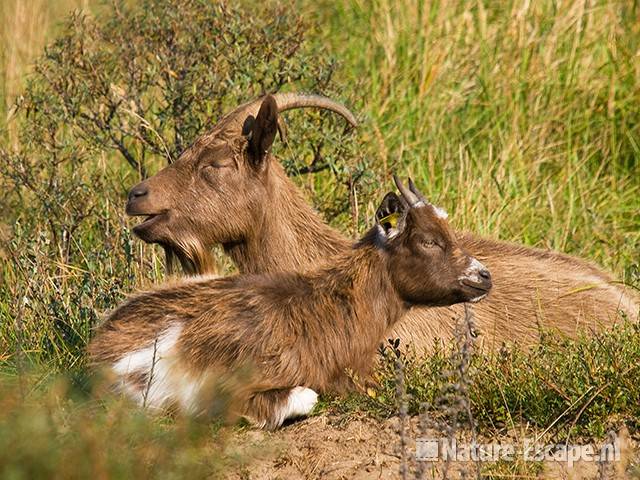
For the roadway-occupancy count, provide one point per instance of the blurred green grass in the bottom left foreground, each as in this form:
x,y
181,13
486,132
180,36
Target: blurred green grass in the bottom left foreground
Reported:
x,y
53,427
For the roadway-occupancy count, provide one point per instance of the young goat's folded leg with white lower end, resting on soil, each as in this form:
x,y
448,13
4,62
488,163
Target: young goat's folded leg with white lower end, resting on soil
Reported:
x,y
270,408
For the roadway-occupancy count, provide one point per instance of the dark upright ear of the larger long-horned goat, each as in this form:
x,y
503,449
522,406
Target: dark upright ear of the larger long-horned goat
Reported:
x,y
261,131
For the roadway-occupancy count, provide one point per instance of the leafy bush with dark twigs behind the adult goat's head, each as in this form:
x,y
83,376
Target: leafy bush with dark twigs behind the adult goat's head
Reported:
x,y
110,99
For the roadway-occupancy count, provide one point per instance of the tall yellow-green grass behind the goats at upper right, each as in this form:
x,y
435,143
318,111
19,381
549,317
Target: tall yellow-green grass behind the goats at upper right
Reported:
x,y
522,123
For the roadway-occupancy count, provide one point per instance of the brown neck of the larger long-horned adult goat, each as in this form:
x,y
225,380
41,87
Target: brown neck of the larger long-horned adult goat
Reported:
x,y
288,236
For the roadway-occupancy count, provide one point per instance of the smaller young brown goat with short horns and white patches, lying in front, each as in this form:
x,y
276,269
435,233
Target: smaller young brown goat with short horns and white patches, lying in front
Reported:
x,y
296,334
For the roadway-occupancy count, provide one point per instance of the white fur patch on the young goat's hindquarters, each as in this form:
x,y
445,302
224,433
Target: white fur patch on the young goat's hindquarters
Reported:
x,y
166,381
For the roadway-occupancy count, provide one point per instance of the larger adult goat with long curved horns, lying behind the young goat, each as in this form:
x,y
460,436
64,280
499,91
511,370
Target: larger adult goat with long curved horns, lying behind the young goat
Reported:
x,y
227,189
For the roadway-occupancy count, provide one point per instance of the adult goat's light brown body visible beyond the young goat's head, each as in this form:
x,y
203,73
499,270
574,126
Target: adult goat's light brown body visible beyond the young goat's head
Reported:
x,y
533,289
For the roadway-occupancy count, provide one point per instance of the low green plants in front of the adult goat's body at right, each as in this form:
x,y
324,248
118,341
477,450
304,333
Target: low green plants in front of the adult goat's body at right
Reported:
x,y
567,388
